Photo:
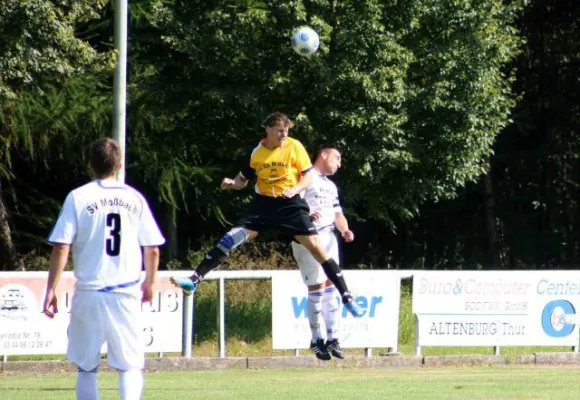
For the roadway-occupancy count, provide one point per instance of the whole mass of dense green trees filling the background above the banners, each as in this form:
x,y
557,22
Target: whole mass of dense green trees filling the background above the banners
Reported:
x,y
419,94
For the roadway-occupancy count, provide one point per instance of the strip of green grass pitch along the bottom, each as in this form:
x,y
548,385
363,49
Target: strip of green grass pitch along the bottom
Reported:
x,y
441,383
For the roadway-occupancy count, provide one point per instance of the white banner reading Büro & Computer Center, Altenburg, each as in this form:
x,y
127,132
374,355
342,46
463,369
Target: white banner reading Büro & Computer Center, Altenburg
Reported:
x,y
496,308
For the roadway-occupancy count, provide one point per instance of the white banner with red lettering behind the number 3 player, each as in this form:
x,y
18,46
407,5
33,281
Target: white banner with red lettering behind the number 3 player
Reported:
x,y
25,330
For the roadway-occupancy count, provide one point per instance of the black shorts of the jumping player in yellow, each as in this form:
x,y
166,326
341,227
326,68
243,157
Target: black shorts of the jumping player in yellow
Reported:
x,y
288,216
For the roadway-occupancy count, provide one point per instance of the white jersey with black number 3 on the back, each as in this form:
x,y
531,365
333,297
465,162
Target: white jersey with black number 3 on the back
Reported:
x,y
107,223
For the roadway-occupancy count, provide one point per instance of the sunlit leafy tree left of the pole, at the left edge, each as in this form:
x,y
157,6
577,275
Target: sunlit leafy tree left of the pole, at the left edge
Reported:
x,y
38,44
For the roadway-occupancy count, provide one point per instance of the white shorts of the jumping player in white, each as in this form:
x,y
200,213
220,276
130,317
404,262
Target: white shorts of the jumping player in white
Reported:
x,y
311,270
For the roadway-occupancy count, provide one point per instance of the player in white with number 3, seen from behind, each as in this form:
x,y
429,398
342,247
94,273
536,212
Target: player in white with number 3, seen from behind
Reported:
x,y
112,233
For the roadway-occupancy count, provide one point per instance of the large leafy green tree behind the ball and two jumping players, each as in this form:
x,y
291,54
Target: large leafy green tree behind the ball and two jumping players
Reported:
x,y
415,92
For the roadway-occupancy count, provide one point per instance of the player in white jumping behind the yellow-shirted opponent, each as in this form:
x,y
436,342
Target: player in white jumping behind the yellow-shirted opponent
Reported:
x,y
326,212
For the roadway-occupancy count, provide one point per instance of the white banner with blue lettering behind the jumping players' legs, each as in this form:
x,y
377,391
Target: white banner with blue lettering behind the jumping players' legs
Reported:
x,y
377,292
